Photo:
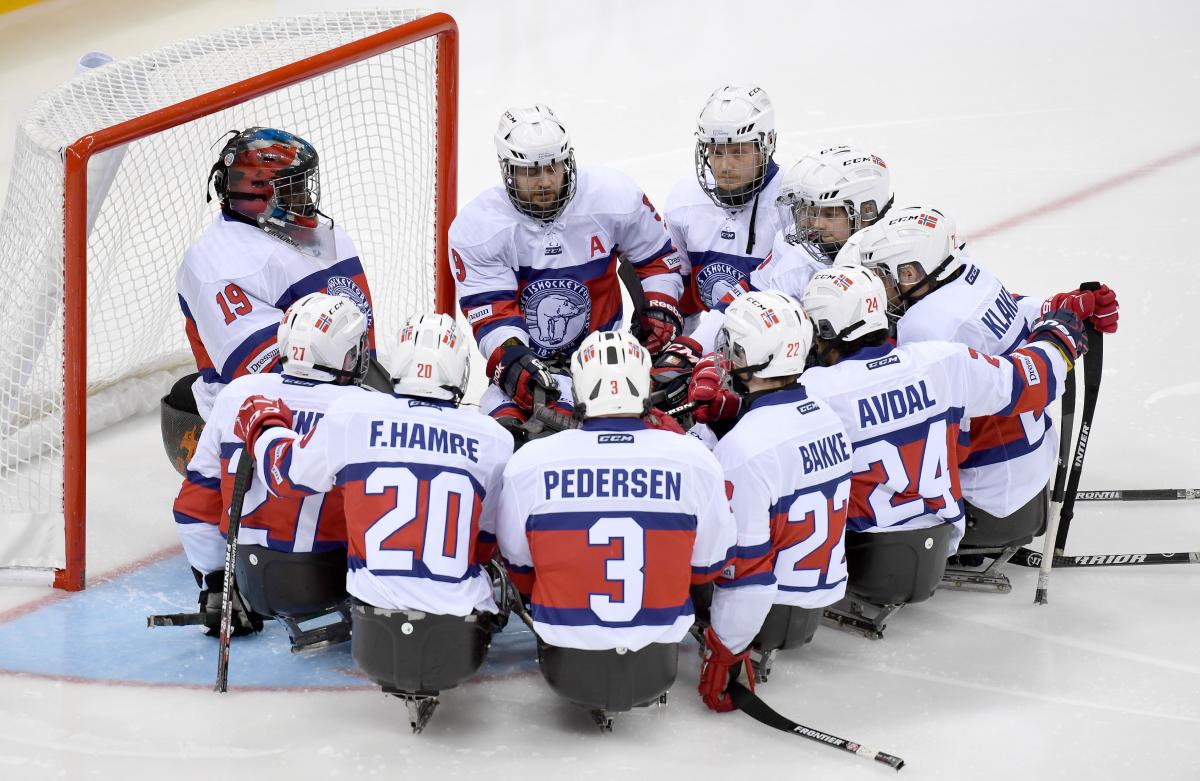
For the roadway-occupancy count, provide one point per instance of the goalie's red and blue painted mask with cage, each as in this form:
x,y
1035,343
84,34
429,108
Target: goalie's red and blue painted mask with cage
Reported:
x,y
272,178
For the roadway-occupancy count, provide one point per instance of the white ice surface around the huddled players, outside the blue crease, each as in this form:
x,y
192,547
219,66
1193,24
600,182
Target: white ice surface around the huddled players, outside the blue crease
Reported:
x,y
988,111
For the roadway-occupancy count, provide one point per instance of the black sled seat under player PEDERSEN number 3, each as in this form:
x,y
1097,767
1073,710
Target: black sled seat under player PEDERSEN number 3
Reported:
x,y
608,680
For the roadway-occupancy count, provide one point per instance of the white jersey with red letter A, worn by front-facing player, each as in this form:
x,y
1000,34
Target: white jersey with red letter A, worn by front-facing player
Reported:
x,y
550,285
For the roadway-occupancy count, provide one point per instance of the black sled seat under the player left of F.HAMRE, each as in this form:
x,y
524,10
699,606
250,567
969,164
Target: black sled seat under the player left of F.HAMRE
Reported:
x,y
291,585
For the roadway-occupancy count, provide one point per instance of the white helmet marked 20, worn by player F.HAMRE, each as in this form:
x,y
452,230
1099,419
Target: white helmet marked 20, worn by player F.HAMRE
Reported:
x,y
433,359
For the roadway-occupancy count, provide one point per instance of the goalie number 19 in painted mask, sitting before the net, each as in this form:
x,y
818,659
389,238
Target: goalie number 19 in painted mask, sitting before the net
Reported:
x,y
268,248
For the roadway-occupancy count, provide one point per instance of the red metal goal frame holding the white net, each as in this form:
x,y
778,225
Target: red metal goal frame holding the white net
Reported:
x,y
75,437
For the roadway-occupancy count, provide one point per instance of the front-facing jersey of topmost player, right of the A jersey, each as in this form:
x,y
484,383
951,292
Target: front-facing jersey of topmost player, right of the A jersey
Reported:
x,y
721,247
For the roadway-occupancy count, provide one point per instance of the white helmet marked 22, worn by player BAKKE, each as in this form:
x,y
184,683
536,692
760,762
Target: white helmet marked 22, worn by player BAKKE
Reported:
x,y
766,334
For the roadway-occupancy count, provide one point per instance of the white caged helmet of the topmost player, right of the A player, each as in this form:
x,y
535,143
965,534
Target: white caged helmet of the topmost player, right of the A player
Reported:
x,y
735,116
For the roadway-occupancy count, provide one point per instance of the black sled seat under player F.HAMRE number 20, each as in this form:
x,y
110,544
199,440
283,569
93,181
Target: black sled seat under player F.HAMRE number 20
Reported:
x,y
417,653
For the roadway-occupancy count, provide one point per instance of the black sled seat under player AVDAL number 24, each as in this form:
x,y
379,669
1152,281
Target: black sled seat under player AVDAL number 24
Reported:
x,y
892,568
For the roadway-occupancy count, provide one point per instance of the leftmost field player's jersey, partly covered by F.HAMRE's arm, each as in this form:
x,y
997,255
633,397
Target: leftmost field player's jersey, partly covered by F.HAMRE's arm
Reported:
x,y
305,525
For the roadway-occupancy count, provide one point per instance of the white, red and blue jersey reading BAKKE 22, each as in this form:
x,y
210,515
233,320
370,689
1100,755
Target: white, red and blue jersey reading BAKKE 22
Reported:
x,y
788,462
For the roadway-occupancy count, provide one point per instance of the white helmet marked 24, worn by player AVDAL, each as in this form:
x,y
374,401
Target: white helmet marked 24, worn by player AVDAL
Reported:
x,y
847,303
